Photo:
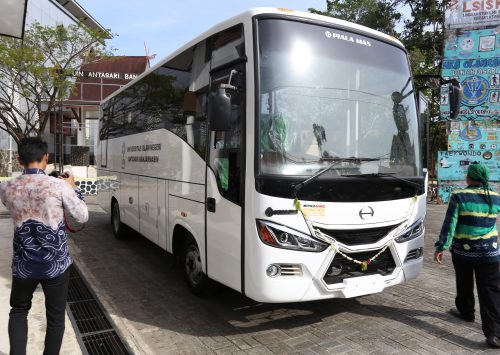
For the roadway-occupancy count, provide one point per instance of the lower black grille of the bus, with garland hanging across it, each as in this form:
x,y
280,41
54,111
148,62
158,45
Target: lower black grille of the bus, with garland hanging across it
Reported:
x,y
342,268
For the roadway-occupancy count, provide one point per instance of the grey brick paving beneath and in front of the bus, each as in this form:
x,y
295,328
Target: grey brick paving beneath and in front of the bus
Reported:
x,y
155,312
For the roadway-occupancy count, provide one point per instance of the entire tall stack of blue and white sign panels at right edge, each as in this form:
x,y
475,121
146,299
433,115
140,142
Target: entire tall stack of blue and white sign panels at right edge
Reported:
x,y
472,56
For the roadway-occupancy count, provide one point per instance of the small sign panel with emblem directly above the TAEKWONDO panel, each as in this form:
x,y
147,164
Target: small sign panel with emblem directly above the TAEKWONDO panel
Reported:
x,y
470,135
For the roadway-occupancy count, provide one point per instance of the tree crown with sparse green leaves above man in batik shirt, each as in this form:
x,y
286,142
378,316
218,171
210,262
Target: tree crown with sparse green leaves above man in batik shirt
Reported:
x,y
37,73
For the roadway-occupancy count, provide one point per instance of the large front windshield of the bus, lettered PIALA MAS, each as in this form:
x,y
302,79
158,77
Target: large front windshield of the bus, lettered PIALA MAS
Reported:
x,y
327,95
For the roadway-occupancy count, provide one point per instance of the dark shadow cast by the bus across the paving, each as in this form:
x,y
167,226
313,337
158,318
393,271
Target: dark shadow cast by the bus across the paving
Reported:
x,y
143,285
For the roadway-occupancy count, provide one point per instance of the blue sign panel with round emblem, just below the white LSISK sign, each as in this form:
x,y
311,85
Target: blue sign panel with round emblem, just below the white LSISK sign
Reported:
x,y
472,58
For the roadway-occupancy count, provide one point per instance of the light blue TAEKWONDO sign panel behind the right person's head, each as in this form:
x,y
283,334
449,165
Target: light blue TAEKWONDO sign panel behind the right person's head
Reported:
x,y
453,165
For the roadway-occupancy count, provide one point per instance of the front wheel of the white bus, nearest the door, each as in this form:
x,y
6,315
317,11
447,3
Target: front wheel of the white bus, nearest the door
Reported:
x,y
198,282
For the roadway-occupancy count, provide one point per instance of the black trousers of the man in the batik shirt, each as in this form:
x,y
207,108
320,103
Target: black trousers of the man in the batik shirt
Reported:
x,y
56,293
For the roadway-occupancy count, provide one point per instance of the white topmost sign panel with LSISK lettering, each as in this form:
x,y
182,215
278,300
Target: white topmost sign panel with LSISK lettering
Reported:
x,y
472,14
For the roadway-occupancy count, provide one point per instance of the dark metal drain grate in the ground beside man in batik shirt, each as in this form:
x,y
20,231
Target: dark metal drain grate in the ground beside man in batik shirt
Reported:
x,y
96,333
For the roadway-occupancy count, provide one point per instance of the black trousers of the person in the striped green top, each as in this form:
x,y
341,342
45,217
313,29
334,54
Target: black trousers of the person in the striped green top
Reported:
x,y
488,289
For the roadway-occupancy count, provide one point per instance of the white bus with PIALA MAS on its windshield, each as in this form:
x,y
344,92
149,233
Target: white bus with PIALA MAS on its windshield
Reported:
x,y
278,154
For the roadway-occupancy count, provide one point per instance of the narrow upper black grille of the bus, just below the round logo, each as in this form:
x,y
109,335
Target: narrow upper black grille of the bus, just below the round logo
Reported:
x,y
358,236
